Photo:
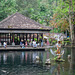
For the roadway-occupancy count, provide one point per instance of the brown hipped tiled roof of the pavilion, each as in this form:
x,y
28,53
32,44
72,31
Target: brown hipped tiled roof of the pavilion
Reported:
x,y
19,21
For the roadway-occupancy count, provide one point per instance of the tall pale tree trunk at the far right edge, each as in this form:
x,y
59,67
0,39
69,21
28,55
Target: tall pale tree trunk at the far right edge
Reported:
x,y
72,27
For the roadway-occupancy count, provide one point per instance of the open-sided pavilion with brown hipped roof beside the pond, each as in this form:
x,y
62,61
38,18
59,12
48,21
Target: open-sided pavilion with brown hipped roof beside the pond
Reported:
x,y
17,27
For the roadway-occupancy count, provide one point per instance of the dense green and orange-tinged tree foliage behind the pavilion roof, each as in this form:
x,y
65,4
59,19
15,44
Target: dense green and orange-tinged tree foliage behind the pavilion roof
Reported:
x,y
59,14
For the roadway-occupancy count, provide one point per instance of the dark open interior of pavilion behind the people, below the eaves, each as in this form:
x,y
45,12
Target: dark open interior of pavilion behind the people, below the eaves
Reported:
x,y
17,37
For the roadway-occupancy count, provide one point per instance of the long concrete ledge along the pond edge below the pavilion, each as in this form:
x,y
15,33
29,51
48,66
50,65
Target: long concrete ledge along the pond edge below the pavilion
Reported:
x,y
22,49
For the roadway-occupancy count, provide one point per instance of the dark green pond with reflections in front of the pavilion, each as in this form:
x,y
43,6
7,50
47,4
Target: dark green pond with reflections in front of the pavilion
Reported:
x,y
25,63
